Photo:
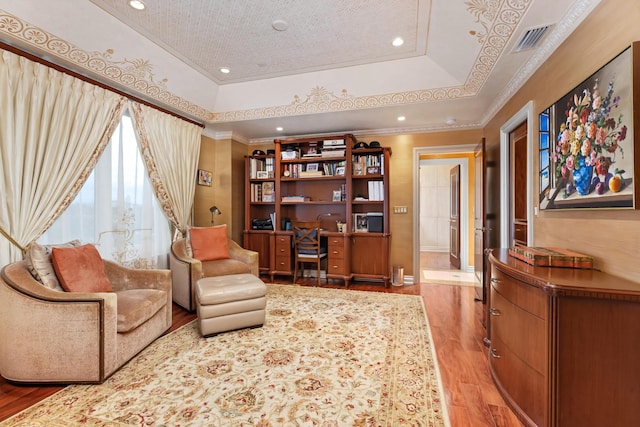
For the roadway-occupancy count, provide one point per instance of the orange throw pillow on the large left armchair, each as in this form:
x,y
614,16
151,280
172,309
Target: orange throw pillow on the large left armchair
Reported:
x,y
80,269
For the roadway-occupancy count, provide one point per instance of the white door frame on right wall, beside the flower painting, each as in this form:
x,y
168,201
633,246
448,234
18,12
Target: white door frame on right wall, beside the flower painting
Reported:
x,y
525,113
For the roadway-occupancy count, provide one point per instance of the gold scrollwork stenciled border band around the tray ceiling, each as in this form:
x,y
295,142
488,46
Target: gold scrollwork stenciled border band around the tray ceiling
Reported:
x,y
498,18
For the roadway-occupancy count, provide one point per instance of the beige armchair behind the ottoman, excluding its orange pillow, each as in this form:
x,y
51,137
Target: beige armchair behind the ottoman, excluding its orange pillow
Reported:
x,y
186,271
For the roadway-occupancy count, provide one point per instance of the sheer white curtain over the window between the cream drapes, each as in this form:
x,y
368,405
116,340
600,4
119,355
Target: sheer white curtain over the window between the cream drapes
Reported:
x,y
117,209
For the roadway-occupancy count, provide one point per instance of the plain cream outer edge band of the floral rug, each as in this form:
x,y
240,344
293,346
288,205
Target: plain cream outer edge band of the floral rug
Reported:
x,y
306,290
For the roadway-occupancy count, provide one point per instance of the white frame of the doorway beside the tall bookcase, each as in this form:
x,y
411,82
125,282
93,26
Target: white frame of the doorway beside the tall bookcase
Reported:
x,y
464,199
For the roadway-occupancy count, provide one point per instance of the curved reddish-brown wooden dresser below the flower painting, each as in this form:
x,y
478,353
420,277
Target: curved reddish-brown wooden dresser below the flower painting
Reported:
x,y
564,344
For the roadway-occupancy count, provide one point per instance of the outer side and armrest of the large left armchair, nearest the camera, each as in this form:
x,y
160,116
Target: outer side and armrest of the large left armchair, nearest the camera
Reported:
x,y
76,330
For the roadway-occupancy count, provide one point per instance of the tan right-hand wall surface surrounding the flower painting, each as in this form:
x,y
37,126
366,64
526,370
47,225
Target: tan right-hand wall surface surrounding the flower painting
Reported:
x,y
611,236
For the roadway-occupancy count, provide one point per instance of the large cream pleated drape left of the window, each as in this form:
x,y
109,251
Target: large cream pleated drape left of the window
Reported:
x,y
53,128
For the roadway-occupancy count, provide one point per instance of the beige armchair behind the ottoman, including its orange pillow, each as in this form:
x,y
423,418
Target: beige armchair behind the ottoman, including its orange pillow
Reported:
x,y
187,269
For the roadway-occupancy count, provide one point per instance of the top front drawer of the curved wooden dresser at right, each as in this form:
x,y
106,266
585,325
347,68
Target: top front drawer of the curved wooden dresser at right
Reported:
x,y
527,297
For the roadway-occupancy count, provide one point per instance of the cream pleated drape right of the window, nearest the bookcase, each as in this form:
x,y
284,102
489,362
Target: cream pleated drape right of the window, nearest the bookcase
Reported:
x,y
170,148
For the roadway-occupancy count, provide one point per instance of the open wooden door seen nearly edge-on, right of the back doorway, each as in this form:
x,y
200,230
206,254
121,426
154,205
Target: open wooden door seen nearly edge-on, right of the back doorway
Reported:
x,y
479,223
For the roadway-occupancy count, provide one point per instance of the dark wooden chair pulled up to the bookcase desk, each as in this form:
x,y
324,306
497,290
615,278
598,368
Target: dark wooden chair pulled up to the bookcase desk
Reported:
x,y
307,248
